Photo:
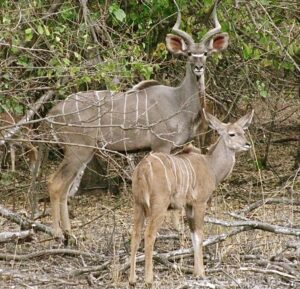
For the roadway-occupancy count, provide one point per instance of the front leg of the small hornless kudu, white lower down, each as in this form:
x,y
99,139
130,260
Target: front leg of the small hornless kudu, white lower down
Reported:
x,y
195,217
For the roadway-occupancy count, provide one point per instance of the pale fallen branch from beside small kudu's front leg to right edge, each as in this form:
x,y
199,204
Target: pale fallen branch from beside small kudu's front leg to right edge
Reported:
x,y
254,225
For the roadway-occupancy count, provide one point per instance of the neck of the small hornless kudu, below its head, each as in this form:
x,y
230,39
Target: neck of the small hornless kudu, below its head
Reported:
x,y
221,159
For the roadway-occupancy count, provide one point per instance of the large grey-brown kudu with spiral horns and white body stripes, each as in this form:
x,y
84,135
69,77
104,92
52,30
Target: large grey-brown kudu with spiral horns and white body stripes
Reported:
x,y
150,116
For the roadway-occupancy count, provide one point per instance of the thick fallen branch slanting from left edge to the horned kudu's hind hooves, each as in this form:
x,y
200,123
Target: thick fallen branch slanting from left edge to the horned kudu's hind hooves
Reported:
x,y
23,221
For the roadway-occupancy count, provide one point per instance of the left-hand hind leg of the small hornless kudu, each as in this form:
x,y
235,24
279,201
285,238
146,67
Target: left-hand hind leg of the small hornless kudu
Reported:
x,y
138,222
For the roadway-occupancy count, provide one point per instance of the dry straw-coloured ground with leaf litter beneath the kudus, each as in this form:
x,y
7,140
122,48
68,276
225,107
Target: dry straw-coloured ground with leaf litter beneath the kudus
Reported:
x,y
101,222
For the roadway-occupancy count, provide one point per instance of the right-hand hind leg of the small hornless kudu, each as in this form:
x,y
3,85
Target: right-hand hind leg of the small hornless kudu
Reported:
x,y
155,222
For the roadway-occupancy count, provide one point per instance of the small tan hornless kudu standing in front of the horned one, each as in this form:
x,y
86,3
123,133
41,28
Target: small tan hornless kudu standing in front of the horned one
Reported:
x,y
186,180
